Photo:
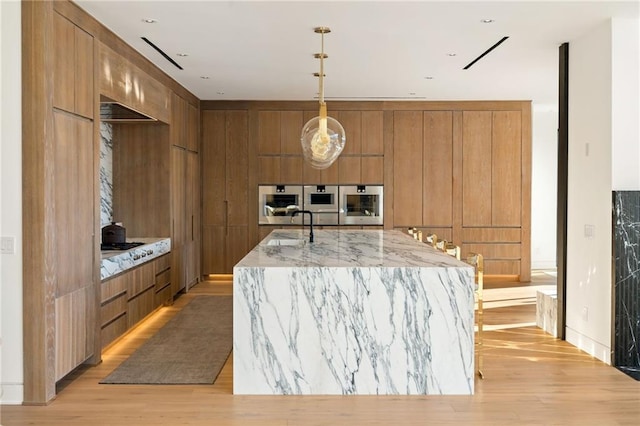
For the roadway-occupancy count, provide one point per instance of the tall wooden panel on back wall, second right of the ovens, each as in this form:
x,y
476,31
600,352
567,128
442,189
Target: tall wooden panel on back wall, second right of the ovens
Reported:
x,y
437,197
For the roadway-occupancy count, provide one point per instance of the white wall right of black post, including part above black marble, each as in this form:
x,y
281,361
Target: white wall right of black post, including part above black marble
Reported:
x,y
603,118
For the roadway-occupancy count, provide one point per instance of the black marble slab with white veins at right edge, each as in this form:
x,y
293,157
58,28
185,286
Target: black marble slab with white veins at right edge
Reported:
x,y
626,254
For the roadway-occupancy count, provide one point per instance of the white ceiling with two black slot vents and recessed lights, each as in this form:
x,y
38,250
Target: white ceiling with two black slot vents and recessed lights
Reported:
x,y
263,50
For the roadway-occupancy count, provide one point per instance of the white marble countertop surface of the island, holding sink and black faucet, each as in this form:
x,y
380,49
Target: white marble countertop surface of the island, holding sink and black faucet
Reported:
x,y
346,248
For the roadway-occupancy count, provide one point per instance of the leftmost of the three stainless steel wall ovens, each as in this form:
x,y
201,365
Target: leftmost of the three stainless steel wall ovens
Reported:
x,y
276,204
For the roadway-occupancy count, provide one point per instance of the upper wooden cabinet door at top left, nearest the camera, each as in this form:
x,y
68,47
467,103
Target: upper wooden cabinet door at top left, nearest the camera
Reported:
x,y
73,68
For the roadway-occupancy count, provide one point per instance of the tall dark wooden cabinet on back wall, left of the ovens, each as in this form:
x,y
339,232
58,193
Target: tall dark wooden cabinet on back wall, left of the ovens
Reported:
x,y
225,189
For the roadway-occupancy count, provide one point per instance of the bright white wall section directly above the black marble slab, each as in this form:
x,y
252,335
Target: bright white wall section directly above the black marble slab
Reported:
x,y
625,104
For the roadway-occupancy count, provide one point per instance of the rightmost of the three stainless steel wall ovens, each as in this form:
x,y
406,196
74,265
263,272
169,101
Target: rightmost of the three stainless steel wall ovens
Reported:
x,y
361,205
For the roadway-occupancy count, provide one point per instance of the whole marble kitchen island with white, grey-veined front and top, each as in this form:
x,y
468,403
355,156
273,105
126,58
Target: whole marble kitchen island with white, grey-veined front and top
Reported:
x,y
355,312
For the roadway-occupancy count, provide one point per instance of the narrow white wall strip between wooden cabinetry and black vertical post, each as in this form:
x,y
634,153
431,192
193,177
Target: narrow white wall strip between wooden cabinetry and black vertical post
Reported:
x,y
544,177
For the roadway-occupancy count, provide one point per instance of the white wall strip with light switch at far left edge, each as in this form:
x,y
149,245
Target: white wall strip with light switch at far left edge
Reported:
x,y
11,377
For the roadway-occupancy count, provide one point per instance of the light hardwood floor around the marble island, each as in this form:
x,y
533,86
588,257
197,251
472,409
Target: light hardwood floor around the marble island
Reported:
x,y
530,379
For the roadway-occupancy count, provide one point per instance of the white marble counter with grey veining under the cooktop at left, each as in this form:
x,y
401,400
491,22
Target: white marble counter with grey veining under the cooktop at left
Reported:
x,y
114,262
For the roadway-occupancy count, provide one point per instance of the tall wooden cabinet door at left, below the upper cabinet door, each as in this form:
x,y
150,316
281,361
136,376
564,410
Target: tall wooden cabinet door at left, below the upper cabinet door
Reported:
x,y
73,213
